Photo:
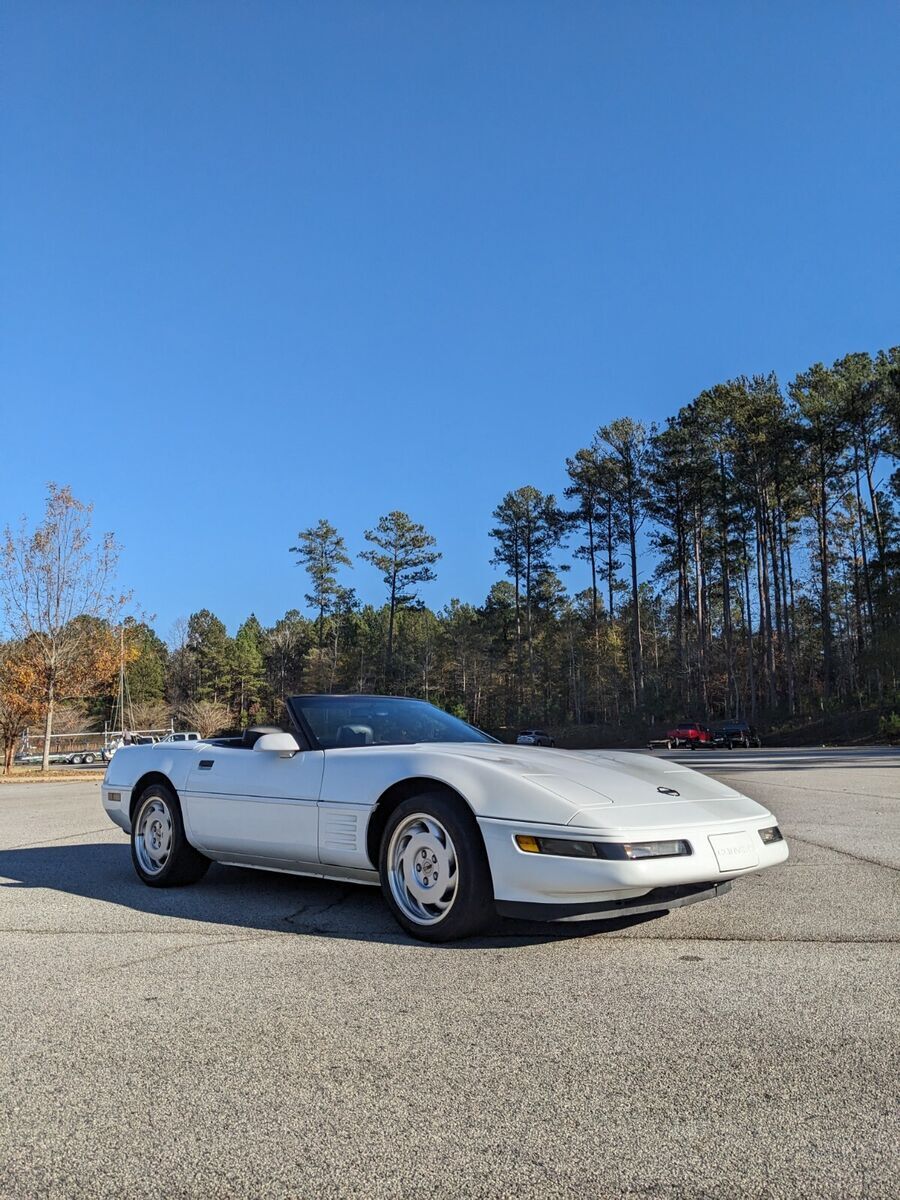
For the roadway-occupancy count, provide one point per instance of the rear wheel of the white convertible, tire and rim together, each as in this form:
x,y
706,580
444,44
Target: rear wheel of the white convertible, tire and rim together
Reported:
x,y
160,851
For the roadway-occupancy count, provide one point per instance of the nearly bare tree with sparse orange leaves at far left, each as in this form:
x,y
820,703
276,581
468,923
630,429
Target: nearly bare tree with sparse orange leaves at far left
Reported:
x,y
56,585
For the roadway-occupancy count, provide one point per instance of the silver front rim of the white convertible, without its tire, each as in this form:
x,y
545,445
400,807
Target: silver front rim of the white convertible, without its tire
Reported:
x,y
423,869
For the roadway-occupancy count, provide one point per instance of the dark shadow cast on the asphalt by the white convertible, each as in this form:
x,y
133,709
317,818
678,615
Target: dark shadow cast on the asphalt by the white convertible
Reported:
x,y
253,901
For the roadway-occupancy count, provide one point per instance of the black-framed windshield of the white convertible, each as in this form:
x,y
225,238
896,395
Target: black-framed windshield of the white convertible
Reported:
x,y
340,722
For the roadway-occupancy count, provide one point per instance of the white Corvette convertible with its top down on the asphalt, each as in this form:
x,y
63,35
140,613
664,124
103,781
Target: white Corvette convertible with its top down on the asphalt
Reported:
x,y
453,825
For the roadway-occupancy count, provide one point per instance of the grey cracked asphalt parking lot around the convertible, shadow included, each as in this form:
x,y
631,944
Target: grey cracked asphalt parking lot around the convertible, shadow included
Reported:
x,y
266,1036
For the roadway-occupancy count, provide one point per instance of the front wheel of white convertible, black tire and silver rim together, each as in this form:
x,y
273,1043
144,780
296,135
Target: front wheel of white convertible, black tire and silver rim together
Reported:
x,y
435,873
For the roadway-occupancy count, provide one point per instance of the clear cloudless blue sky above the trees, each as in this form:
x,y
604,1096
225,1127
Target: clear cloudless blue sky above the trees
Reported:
x,y
272,262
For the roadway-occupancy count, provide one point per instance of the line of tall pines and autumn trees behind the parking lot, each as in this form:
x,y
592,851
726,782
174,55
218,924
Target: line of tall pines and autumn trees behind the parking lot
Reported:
x,y
769,518
